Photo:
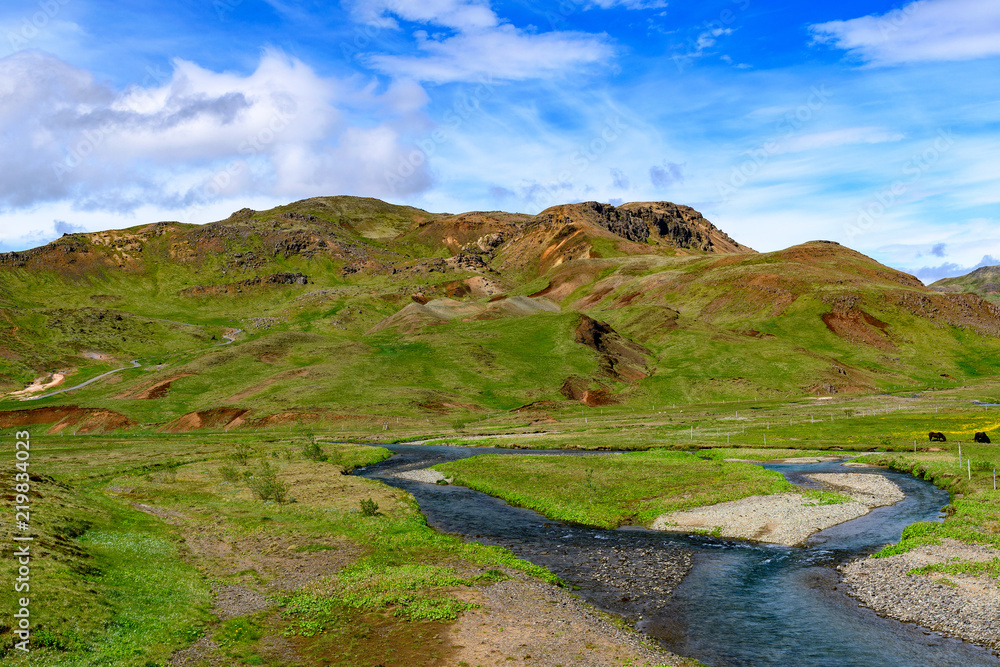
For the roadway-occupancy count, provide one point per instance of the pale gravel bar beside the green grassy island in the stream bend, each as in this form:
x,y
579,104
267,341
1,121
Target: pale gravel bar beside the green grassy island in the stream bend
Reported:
x,y
786,518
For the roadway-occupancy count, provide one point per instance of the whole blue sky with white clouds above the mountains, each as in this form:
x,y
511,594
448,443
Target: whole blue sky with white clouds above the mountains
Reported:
x,y
871,123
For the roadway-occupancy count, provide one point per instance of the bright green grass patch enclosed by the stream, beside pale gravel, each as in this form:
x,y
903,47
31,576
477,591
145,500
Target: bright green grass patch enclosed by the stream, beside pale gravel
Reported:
x,y
610,491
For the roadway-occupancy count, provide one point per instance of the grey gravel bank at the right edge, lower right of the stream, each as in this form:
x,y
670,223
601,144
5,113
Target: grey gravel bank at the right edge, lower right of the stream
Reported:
x,y
959,605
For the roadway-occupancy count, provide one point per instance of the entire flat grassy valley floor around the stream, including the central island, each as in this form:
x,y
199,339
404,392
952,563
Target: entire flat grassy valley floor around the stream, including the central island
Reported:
x,y
127,586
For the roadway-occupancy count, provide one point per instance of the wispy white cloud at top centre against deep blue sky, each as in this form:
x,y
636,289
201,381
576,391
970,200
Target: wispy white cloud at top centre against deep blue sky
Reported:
x,y
481,44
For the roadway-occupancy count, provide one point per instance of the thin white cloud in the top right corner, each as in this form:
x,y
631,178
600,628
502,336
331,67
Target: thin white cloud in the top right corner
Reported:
x,y
921,31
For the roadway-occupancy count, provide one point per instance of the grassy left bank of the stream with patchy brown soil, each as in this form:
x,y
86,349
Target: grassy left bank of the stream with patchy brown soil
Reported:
x,y
133,535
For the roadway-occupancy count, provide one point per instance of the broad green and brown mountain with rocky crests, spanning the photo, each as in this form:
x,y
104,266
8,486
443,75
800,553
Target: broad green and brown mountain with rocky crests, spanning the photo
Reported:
x,y
341,308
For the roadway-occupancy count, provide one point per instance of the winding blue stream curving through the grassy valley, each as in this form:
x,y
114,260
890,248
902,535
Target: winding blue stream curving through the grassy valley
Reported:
x,y
741,603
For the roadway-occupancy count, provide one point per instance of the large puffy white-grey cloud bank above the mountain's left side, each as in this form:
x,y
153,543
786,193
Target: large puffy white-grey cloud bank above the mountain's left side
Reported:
x,y
193,135
